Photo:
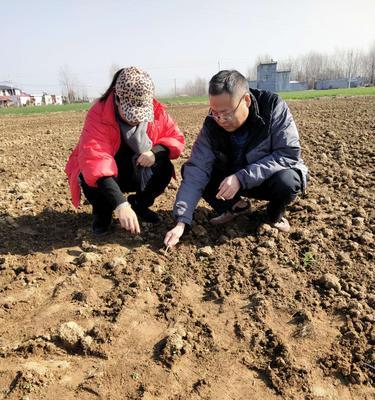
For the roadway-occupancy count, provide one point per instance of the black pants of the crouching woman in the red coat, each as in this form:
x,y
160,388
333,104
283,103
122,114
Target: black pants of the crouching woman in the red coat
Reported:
x,y
162,173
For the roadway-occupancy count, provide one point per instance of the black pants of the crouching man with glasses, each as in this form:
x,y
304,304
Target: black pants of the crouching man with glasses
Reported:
x,y
280,190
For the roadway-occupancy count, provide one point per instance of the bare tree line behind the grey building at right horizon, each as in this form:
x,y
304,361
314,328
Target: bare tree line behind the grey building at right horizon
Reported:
x,y
347,63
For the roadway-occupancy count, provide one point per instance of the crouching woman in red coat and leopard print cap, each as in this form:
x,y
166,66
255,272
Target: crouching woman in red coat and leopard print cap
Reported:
x,y
126,145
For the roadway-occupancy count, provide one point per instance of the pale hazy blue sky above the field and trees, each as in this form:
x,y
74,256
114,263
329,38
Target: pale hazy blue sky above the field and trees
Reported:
x,y
170,39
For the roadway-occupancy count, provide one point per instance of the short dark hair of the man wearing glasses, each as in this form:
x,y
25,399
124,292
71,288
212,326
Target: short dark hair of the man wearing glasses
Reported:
x,y
228,81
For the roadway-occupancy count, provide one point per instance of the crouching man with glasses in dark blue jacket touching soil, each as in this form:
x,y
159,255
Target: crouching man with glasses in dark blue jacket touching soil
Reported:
x,y
248,146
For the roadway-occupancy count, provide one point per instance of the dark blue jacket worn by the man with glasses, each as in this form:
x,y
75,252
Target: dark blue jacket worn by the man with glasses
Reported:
x,y
273,145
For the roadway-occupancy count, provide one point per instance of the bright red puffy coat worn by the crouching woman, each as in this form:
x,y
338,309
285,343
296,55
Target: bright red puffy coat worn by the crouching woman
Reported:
x,y
100,140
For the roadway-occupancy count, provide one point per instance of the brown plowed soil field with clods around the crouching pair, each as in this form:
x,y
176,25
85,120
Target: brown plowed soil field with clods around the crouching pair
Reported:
x,y
233,312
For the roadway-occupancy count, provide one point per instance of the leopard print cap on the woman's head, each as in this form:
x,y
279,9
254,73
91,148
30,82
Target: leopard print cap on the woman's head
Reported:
x,y
135,91
